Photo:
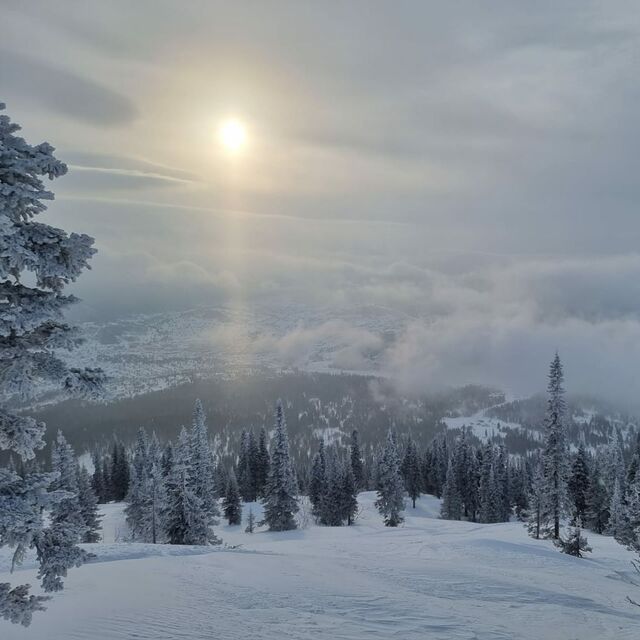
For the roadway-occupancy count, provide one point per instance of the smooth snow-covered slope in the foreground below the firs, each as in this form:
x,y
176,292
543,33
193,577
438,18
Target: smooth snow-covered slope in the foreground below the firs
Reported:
x,y
428,579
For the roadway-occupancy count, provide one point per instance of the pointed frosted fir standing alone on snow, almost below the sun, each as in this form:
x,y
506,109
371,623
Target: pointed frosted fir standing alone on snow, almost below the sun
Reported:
x,y
280,502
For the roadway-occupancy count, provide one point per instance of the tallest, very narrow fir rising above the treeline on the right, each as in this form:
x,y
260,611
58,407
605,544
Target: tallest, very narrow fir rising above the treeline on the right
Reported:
x,y
555,449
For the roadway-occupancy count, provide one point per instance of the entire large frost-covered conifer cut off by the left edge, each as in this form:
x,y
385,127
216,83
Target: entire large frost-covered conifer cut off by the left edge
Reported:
x,y
36,262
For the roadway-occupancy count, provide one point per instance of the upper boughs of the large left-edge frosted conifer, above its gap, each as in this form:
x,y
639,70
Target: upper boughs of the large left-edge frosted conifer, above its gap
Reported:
x,y
47,258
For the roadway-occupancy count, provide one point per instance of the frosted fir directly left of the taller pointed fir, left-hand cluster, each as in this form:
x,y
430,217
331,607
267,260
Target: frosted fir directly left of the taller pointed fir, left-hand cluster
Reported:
x,y
185,518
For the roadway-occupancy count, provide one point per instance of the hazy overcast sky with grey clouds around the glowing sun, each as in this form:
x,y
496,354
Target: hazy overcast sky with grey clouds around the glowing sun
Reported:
x,y
473,165
